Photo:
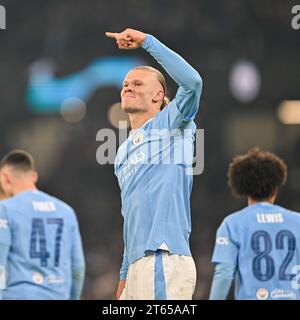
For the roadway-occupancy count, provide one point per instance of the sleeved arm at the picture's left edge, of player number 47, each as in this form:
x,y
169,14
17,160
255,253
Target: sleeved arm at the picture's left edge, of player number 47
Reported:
x,y
5,242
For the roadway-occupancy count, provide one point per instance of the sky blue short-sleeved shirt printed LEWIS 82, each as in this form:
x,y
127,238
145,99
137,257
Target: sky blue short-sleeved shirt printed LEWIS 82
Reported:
x,y
263,242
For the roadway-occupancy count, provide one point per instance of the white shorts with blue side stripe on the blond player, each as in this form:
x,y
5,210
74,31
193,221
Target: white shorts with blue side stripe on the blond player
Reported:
x,y
161,276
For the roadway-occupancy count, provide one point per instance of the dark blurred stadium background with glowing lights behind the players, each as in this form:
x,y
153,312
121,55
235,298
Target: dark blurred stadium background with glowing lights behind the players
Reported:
x,y
248,55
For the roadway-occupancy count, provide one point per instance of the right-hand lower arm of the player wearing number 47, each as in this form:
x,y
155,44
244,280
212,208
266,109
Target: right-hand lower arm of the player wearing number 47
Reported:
x,y
77,264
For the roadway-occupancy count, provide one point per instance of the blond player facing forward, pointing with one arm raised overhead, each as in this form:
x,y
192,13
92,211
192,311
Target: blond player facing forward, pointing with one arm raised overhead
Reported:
x,y
154,170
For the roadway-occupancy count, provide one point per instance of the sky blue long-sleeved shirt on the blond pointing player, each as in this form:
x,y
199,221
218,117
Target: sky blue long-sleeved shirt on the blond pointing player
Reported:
x,y
154,167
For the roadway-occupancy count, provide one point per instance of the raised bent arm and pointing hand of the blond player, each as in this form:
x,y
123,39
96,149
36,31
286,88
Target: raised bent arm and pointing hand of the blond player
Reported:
x,y
190,82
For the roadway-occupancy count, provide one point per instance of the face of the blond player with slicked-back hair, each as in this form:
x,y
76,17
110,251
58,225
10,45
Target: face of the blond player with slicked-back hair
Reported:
x,y
141,91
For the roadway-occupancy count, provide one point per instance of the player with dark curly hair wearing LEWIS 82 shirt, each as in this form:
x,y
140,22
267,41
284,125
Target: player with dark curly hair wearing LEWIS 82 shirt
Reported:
x,y
259,245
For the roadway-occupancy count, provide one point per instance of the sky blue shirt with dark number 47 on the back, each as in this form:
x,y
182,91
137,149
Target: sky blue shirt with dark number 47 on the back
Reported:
x,y
44,246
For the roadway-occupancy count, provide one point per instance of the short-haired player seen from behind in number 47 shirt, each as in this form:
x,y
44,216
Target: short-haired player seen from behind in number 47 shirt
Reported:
x,y
41,254
